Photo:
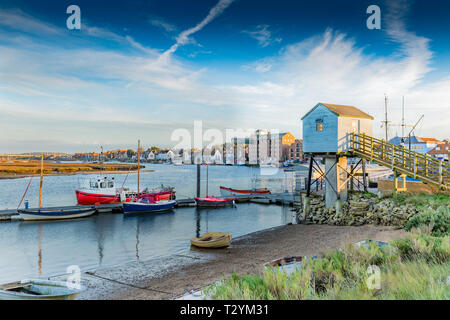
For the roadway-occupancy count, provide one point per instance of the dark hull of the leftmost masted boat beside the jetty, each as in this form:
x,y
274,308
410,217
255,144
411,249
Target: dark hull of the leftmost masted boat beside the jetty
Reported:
x,y
55,214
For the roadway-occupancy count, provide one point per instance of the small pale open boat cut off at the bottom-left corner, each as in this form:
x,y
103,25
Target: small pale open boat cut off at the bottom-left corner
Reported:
x,y
38,290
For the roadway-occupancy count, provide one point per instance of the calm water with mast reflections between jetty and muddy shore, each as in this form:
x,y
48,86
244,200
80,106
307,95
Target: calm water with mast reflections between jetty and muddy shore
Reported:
x,y
111,239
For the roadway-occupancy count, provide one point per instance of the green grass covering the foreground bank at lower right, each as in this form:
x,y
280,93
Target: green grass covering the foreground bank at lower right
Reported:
x,y
416,267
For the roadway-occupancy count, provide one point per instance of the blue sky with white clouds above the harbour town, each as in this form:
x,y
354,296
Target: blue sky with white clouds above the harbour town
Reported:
x,y
146,69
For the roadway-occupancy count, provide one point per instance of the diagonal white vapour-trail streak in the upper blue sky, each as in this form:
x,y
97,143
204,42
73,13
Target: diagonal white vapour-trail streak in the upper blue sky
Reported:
x,y
183,37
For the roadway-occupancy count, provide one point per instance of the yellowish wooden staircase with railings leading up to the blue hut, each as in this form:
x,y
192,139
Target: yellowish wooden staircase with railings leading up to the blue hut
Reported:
x,y
401,160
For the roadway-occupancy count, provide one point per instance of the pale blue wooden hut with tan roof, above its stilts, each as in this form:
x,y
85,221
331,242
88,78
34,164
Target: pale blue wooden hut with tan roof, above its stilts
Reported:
x,y
326,127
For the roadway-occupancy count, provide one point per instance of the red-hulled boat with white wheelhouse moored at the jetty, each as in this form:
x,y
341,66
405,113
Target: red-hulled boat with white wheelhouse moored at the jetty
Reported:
x,y
102,190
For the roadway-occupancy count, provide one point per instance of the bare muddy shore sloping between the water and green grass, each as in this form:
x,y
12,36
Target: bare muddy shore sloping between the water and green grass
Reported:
x,y
171,276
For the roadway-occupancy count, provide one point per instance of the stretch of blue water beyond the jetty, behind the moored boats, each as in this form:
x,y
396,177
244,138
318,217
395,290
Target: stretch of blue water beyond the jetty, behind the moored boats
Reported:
x,y
60,190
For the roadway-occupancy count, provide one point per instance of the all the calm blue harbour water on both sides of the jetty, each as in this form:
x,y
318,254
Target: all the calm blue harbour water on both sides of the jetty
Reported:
x,y
30,249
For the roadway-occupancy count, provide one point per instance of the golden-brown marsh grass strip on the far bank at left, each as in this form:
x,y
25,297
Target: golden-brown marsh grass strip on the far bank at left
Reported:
x,y
34,167
